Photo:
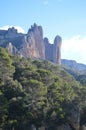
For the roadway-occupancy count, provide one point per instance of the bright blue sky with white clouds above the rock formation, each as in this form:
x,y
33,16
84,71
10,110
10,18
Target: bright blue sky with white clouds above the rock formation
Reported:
x,y
66,18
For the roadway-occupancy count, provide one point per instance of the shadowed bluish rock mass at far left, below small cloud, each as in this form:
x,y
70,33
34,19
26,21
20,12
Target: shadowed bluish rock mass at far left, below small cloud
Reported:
x,y
11,36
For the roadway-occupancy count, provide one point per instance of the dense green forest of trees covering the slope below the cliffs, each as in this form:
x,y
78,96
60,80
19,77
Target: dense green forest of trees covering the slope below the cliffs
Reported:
x,y
35,92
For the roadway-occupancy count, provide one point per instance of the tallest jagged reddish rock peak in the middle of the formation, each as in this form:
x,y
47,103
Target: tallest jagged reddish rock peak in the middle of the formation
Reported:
x,y
33,45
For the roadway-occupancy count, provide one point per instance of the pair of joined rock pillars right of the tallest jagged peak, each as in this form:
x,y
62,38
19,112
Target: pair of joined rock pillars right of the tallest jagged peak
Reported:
x,y
53,51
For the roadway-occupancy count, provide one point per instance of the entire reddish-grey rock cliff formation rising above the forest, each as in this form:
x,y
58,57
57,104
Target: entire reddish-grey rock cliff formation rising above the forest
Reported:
x,y
32,44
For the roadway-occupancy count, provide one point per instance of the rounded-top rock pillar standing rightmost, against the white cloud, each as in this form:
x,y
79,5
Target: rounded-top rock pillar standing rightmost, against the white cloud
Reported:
x,y
57,50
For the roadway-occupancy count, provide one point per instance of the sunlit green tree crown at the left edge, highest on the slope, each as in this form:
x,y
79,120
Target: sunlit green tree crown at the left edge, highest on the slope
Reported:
x,y
6,67
